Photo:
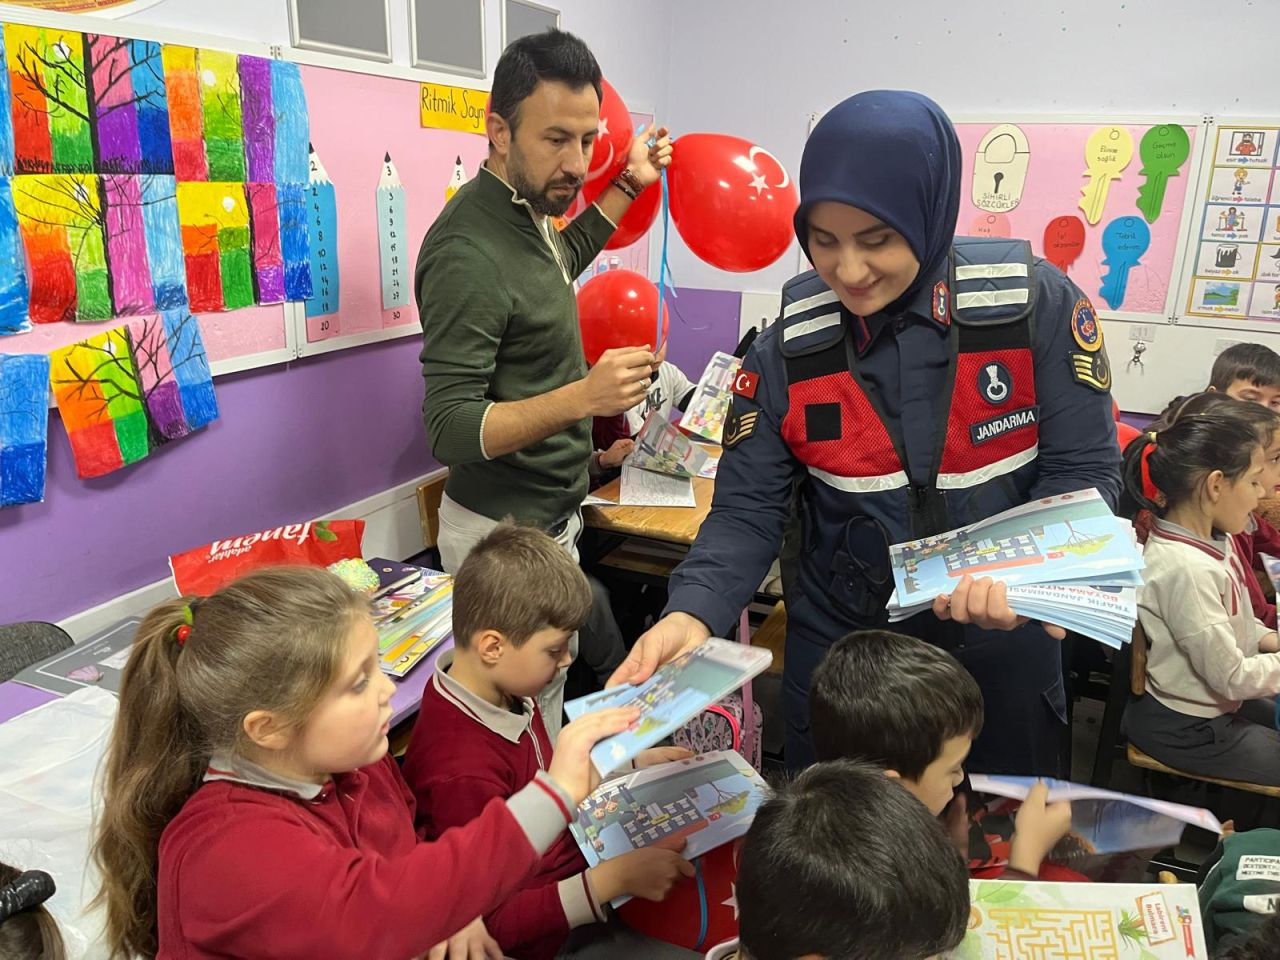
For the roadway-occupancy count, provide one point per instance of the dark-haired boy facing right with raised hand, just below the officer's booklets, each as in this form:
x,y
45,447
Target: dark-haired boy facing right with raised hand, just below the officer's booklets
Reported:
x,y
913,711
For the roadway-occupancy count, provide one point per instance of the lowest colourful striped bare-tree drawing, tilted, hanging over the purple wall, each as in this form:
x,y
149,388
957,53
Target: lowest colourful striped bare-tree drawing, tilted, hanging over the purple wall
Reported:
x,y
129,391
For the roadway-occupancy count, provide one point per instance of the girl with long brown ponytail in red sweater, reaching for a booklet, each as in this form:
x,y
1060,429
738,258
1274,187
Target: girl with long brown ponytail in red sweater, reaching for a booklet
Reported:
x,y
253,808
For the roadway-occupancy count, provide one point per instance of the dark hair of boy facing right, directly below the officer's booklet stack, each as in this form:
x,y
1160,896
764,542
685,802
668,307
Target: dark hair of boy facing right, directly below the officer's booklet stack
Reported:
x,y
893,701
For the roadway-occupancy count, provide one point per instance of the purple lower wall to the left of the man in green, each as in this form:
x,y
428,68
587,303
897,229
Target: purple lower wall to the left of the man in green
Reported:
x,y
292,444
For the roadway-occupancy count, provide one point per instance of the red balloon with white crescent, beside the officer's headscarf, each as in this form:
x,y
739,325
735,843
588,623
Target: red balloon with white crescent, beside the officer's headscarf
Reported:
x,y
732,200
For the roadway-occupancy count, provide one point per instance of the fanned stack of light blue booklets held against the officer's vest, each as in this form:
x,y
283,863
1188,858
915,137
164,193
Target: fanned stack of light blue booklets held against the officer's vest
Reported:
x,y
1067,560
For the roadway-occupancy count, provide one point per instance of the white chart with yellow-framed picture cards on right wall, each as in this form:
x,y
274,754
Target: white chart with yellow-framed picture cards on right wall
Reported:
x,y
1237,260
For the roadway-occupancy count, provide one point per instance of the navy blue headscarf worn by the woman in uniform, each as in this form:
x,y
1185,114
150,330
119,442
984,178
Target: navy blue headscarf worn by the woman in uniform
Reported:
x,y
895,156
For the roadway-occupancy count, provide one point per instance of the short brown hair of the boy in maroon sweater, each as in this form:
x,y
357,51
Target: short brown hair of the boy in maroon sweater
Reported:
x,y
518,580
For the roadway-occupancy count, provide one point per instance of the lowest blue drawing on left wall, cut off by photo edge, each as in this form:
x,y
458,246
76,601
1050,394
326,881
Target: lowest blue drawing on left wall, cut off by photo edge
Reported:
x,y
24,428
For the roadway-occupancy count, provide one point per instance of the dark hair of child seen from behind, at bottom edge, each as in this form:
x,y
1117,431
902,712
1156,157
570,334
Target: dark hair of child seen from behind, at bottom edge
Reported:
x,y
847,865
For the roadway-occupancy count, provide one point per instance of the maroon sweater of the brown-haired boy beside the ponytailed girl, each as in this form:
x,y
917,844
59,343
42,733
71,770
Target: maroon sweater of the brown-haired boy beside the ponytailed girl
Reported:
x,y
463,756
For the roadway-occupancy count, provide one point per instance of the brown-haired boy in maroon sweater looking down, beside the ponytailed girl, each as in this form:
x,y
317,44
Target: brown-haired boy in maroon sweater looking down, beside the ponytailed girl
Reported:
x,y
479,737
